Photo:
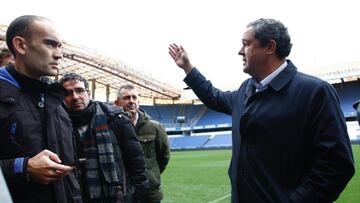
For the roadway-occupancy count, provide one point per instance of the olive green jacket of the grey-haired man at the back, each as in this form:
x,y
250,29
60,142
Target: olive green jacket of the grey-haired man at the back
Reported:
x,y
155,144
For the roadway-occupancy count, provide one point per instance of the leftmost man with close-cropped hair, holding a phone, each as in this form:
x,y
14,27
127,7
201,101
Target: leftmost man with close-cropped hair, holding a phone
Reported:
x,y
35,131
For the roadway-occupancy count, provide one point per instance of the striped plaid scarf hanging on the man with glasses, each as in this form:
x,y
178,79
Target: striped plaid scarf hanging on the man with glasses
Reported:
x,y
100,166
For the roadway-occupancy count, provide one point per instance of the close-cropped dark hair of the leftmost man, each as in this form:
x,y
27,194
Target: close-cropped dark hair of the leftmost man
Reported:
x,y
21,26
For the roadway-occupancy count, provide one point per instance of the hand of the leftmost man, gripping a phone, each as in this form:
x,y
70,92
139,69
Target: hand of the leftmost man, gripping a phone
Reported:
x,y
45,167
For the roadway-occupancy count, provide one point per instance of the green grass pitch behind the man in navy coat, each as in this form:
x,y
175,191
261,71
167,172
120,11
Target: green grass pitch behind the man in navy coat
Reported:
x,y
201,177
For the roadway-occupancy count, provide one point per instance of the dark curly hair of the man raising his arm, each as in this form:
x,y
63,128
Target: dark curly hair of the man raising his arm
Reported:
x,y
270,29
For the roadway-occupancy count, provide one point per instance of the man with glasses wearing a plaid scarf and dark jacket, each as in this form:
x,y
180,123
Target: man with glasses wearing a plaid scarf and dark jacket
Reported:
x,y
106,138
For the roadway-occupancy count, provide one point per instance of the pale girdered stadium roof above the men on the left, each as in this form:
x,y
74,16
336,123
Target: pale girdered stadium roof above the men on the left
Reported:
x,y
106,75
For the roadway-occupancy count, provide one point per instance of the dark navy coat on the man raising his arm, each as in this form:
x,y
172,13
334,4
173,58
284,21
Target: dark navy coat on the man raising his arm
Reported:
x,y
289,142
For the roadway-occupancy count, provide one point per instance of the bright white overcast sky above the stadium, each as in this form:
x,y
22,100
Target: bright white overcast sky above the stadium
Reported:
x,y
138,32
